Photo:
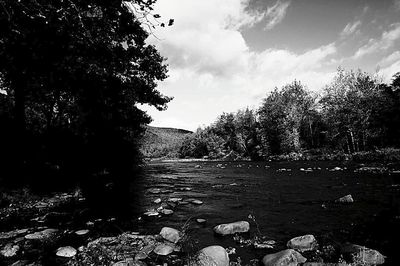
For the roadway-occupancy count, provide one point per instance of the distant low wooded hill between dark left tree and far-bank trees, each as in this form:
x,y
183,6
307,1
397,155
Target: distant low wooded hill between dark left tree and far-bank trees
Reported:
x,y
162,142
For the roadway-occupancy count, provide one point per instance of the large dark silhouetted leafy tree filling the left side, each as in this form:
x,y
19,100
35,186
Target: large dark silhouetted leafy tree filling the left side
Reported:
x,y
76,70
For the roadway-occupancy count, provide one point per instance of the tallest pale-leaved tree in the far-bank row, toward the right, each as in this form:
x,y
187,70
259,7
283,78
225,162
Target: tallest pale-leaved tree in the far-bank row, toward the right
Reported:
x,y
348,104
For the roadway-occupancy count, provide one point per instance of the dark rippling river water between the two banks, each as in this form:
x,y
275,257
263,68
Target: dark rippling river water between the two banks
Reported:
x,y
285,203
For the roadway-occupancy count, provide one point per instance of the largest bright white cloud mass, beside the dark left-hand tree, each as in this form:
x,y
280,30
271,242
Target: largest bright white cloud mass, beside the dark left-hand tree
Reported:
x,y
212,69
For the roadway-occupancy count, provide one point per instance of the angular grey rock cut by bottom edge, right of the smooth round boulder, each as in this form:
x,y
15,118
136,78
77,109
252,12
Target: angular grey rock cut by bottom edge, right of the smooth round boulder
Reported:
x,y
287,257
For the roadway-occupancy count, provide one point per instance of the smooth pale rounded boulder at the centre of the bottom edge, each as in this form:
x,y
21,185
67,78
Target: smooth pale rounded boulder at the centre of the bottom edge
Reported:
x,y
211,256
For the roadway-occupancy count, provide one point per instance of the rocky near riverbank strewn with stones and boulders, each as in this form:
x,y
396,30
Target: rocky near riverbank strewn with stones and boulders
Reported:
x,y
53,236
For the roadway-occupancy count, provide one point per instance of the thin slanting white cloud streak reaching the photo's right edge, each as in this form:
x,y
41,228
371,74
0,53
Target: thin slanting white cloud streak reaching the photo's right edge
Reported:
x,y
386,41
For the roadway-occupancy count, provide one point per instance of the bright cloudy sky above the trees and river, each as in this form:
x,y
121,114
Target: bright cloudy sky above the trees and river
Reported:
x,y
226,55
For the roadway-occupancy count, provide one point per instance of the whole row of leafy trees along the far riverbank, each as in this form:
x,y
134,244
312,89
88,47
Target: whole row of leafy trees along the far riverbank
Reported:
x,y
356,112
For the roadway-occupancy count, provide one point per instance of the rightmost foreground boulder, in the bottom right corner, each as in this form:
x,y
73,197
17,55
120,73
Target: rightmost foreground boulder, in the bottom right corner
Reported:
x,y
363,255
